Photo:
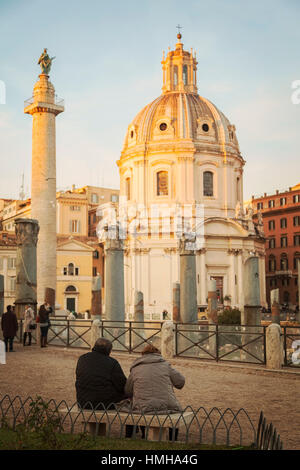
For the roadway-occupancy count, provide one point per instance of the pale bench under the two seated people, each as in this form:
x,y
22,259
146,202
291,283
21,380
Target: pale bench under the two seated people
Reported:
x,y
156,426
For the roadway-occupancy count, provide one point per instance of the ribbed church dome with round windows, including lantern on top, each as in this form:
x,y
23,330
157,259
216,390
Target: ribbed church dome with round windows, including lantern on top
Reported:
x,y
180,114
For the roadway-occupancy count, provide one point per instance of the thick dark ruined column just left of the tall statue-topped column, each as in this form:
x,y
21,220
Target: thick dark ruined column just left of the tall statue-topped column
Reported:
x,y
26,266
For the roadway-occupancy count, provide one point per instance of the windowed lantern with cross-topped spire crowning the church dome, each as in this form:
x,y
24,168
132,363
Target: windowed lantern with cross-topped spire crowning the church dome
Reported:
x,y
179,70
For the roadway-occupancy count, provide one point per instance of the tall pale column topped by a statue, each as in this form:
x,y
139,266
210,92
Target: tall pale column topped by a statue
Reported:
x,y
44,107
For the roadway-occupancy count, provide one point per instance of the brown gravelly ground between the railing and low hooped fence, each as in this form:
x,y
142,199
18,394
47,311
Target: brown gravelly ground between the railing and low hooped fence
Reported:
x,y
50,372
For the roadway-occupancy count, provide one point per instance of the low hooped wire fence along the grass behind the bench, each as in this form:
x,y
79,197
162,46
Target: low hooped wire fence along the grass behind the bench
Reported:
x,y
217,427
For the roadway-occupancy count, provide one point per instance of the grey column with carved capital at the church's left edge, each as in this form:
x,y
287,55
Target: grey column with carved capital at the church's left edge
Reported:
x,y
114,280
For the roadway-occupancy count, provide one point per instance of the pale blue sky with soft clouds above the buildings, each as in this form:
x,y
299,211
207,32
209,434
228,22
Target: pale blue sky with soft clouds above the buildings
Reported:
x,y
108,67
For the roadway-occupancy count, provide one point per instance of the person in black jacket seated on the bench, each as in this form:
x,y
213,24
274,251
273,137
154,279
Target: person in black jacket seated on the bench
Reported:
x,y
99,378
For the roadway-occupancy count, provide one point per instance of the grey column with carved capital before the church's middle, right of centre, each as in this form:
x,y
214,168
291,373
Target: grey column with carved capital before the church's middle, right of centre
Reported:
x,y
188,286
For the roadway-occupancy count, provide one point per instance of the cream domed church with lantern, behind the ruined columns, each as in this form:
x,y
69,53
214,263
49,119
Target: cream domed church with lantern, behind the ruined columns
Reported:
x,y
181,171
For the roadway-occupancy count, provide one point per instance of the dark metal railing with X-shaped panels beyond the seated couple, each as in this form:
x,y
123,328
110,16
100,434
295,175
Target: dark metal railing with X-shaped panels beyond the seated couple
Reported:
x,y
234,343
